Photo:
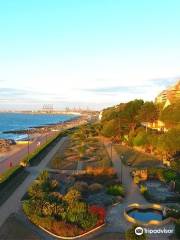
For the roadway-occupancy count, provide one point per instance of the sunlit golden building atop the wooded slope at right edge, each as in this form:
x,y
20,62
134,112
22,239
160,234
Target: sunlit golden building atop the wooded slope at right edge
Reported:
x,y
169,96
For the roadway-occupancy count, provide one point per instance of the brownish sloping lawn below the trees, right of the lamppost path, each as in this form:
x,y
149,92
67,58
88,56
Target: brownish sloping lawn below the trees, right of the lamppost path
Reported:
x,y
136,158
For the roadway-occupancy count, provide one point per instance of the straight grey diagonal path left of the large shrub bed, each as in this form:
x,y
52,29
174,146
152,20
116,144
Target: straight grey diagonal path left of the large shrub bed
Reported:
x,y
13,202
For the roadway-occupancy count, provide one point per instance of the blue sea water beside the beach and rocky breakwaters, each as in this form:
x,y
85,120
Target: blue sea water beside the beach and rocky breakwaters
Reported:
x,y
18,121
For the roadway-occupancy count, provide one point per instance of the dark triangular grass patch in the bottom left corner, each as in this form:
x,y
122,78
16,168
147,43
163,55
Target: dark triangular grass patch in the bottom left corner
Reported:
x,y
15,229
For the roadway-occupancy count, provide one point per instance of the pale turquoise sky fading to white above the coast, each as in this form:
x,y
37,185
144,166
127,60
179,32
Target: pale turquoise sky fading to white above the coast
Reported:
x,y
86,53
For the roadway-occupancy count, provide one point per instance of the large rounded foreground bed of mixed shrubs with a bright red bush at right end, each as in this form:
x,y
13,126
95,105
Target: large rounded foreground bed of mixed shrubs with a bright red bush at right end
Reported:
x,y
64,215
